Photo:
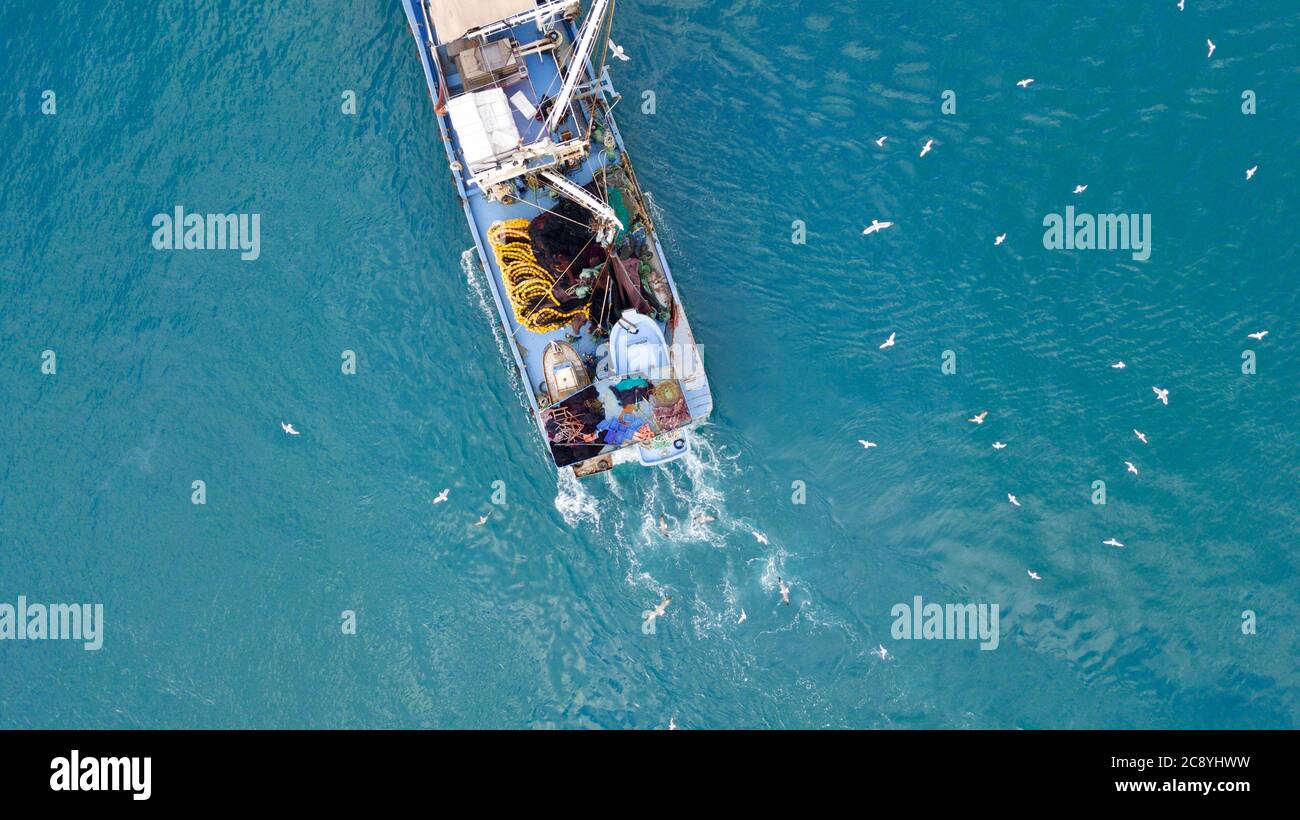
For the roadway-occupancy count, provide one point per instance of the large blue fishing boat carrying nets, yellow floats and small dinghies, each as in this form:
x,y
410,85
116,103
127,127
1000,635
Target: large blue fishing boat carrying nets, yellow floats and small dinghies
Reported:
x,y
562,228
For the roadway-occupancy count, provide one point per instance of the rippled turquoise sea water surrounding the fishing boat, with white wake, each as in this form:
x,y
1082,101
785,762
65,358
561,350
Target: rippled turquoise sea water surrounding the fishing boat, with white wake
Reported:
x,y
175,367
